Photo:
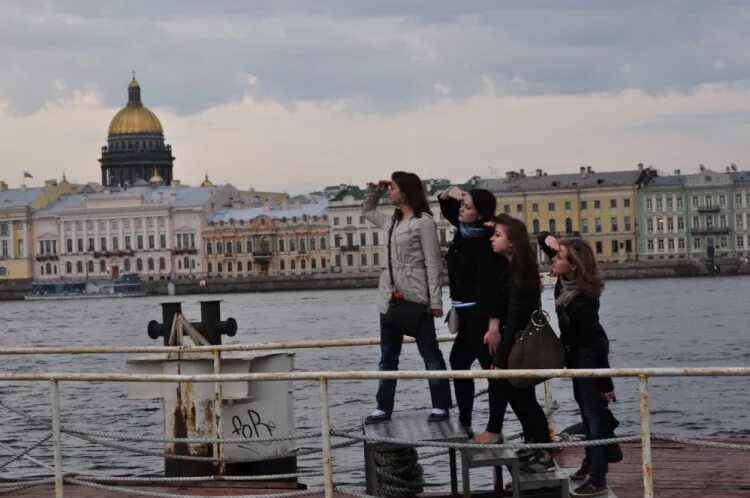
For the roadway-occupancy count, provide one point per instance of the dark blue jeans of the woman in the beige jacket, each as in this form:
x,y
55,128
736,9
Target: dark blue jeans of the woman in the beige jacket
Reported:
x,y
391,340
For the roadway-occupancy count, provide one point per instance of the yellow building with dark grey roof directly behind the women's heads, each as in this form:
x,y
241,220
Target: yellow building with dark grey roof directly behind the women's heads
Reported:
x,y
600,207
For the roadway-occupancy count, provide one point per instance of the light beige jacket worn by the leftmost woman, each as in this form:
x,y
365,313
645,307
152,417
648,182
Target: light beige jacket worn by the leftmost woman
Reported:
x,y
415,256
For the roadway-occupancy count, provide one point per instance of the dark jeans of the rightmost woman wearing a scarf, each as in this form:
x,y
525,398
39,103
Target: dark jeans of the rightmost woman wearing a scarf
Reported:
x,y
594,411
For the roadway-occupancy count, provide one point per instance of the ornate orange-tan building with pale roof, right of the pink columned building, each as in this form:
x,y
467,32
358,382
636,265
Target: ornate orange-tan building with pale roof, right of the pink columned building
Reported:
x,y
267,238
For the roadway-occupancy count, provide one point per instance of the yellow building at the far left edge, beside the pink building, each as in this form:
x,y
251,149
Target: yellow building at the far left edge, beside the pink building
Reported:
x,y
16,207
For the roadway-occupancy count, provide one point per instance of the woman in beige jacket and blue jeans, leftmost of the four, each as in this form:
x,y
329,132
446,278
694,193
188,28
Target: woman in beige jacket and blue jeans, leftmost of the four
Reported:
x,y
413,280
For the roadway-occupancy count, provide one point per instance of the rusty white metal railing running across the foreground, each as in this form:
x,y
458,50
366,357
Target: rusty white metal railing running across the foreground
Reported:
x,y
325,377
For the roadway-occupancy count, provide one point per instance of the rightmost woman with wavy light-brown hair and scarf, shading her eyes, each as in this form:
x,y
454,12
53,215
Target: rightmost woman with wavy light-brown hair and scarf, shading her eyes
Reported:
x,y
577,292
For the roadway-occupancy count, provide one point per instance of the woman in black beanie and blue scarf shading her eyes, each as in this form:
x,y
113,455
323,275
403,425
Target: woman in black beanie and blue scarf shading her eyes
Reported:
x,y
474,292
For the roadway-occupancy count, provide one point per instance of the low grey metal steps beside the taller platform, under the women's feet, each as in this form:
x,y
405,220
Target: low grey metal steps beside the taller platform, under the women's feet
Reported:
x,y
497,458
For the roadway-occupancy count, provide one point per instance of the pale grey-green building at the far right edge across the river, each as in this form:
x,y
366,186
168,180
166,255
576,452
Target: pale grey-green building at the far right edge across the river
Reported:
x,y
701,216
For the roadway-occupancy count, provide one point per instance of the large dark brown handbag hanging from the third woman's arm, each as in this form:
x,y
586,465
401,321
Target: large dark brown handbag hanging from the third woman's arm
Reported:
x,y
535,347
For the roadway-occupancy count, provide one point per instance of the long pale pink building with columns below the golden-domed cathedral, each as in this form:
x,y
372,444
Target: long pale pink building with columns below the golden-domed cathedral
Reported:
x,y
154,231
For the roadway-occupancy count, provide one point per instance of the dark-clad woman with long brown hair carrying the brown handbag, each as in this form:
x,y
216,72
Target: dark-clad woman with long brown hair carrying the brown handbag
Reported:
x,y
521,296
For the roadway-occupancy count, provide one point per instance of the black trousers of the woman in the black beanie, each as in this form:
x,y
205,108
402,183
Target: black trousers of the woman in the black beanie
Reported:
x,y
468,347
